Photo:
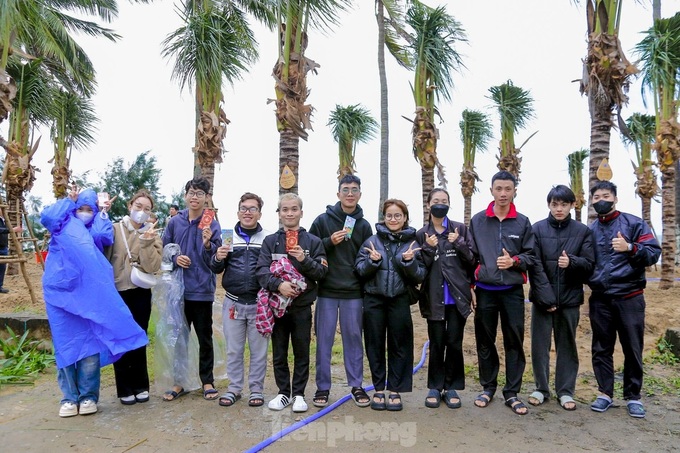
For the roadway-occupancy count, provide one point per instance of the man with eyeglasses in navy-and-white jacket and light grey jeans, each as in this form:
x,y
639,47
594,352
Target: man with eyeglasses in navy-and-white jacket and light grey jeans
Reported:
x,y
240,303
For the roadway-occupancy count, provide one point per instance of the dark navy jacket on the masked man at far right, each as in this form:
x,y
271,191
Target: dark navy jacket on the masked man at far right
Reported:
x,y
619,274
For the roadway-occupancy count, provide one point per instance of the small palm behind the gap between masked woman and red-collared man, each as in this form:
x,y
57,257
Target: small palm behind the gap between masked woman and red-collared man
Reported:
x,y
475,133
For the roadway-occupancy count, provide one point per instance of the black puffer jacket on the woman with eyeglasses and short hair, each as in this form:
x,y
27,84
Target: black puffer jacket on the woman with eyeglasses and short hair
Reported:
x,y
381,277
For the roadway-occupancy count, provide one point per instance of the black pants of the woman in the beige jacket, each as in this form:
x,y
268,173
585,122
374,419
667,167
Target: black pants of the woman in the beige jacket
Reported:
x,y
132,375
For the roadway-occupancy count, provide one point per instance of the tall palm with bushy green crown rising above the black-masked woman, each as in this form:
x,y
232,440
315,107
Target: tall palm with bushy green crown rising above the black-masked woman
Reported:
x,y
432,47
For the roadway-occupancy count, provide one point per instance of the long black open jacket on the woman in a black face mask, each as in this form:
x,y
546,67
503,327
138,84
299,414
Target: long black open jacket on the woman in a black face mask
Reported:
x,y
454,262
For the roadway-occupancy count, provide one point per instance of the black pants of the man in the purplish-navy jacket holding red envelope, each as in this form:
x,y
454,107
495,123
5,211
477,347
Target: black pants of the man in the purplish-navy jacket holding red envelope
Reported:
x,y
199,313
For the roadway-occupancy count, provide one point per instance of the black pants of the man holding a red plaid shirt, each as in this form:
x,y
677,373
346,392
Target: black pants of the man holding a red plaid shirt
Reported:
x,y
296,327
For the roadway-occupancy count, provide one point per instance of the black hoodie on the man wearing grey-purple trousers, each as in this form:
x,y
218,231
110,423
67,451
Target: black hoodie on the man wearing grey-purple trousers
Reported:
x,y
341,281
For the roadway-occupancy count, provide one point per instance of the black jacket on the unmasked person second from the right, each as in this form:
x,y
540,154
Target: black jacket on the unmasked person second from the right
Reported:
x,y
550,284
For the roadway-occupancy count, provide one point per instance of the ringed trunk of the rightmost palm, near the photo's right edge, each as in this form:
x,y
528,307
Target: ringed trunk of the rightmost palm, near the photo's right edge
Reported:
x,y
668,245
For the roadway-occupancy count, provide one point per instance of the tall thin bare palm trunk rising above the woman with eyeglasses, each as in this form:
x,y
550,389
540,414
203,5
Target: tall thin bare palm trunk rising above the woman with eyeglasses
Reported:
x,y
384,114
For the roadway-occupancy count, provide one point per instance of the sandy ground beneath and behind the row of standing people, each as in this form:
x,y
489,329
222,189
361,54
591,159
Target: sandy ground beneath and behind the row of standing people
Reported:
x,y
29,420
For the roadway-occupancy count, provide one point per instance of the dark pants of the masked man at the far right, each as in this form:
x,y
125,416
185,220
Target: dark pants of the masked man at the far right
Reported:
x,y
609,316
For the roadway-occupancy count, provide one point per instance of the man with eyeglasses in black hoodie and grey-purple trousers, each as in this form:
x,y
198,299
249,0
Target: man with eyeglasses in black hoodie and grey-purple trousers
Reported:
x,y
340,292
